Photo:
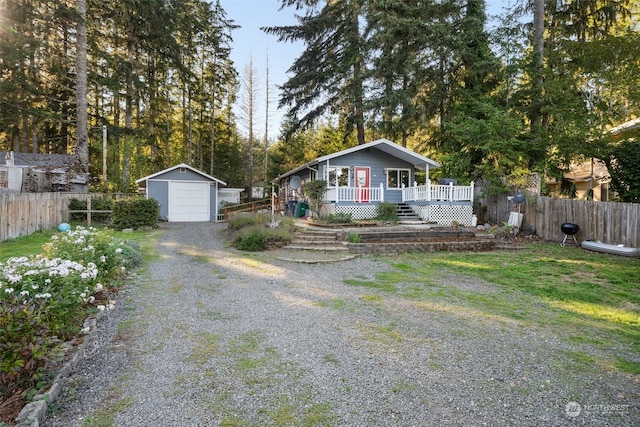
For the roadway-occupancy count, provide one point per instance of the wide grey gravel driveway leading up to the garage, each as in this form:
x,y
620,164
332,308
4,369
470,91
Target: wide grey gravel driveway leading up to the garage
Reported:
x,y
208,336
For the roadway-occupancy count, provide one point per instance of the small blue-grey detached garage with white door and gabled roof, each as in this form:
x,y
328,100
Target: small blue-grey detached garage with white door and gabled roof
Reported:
x,y
185,194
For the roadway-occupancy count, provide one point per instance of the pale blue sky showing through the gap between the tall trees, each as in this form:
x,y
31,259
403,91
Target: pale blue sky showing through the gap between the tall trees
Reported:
x,y
249,42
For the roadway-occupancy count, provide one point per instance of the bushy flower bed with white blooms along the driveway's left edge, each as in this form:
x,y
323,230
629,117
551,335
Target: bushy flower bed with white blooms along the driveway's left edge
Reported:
x,y
45,298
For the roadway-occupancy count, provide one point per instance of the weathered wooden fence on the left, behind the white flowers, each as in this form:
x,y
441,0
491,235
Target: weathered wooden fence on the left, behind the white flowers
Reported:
x,y
24,213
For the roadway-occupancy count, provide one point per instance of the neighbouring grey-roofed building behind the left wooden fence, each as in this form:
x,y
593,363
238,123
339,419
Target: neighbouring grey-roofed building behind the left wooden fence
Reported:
x,y
41,173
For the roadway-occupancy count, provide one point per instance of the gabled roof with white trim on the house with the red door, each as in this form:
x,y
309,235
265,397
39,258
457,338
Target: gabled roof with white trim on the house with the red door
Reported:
x,y
384,145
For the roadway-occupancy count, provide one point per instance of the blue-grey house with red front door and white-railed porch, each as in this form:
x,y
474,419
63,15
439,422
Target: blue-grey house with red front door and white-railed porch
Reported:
x,y
361,177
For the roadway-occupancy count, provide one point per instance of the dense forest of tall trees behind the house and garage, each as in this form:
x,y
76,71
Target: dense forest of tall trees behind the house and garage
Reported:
x,y
534,93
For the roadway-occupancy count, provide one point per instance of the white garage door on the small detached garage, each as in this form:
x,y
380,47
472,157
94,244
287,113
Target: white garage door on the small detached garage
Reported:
x,y
188,201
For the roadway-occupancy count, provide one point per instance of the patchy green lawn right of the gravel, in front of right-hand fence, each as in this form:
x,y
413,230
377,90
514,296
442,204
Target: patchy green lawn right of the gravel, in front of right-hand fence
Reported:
x,y
590,298
